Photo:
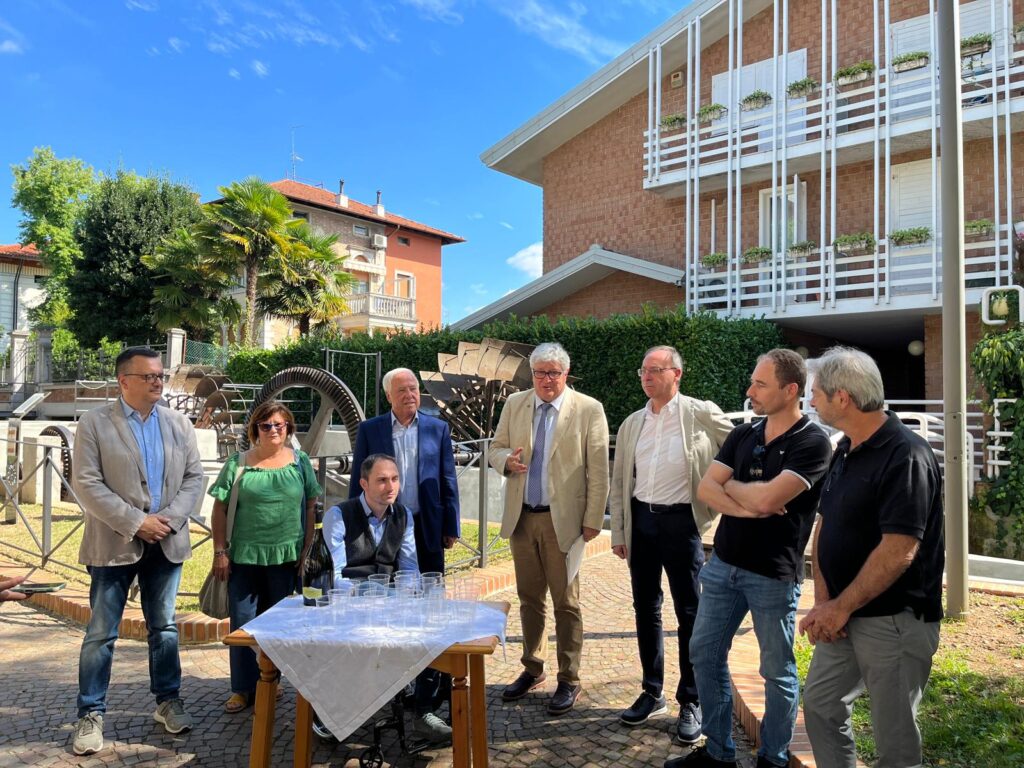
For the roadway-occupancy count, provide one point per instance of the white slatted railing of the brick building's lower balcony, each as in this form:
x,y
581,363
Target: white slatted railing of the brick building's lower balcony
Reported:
x,y
900,277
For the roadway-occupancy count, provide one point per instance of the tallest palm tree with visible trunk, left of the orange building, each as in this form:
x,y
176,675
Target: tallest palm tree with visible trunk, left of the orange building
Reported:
x,y
252,225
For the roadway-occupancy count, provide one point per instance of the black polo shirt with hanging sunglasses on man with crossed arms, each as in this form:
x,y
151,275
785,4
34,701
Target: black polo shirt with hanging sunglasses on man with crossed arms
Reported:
x,y
774,546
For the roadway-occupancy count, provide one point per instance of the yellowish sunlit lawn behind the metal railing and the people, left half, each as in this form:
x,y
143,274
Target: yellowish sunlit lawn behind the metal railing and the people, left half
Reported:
x,y
67,519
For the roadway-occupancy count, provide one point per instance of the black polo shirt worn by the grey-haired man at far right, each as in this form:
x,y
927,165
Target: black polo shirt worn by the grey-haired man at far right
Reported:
x,y
888,485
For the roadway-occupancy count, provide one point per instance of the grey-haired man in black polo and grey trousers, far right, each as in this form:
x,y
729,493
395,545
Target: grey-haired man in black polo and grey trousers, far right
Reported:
x,y
879,557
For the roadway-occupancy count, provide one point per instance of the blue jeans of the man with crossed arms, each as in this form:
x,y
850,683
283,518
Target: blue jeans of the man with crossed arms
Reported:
x,y
728,594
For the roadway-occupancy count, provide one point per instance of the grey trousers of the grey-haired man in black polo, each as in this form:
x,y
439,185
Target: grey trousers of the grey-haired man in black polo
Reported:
x,y
891,658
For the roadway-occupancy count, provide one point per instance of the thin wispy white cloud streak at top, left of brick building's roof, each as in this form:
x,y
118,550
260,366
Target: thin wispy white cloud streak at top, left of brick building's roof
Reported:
x,y
563,31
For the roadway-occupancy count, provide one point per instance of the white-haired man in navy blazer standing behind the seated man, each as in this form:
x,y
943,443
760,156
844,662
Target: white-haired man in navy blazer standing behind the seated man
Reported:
x,y
421,446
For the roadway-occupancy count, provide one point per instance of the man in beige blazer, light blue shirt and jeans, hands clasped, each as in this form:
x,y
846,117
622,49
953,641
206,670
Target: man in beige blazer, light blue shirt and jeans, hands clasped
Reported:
x,y
138,476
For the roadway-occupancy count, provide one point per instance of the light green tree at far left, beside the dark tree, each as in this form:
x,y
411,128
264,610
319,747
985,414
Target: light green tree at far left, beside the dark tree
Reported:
x,y
51,193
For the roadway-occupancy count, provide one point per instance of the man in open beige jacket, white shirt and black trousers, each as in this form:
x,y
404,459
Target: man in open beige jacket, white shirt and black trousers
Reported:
x,y
662,452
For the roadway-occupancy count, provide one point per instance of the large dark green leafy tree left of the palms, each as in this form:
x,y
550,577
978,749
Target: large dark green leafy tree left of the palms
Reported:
x,y
126,218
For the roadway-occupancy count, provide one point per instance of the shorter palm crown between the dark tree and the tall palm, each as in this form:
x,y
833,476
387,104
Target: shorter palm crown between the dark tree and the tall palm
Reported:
x,y
192,286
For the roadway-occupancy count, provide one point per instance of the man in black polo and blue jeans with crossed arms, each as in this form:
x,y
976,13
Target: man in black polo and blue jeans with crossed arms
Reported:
x,y
765,482
